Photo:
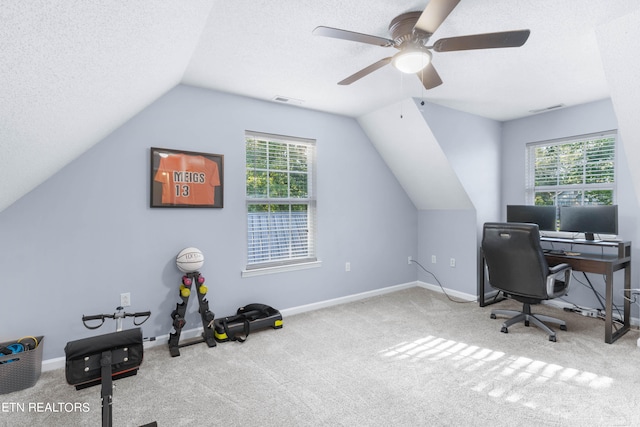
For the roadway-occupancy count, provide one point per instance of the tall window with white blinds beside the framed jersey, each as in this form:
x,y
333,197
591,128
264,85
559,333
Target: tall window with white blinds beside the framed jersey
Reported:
x,y
281,204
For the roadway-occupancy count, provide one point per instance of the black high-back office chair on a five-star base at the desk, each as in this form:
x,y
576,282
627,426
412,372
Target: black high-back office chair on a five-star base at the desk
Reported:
x,y
517,267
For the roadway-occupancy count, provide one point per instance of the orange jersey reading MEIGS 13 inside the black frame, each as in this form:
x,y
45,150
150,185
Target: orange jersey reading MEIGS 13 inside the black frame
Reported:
x,y
188,180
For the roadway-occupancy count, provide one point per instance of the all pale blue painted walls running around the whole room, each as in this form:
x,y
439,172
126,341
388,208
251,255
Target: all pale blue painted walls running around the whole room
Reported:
x,y
86,235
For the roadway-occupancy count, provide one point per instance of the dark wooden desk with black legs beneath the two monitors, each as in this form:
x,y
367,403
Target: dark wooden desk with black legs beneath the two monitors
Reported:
x,y
614,256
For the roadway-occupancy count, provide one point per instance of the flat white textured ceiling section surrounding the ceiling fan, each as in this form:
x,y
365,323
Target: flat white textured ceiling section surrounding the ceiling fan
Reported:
x,y
265,49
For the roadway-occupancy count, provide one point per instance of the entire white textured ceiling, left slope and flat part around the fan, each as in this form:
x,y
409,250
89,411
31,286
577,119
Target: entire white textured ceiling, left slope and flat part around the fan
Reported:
x,y
72,71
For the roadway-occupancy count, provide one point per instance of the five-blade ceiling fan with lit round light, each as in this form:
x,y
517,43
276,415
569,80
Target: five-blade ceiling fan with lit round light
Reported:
x,y
410,33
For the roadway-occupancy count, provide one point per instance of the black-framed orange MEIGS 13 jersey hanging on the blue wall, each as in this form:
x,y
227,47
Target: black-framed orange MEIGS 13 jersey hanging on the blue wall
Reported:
x,y
186,179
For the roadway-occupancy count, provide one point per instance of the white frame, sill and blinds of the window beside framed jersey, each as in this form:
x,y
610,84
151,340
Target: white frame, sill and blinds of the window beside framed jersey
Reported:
x,y
290,254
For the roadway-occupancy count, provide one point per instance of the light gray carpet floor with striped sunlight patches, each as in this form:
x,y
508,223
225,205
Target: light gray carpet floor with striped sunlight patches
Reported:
x,y
409,358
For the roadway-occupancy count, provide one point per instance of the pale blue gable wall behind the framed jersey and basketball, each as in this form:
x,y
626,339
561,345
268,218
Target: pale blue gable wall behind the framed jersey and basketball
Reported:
x,y
77,241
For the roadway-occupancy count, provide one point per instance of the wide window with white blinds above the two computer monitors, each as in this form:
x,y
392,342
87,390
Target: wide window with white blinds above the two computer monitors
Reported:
x,y
576,171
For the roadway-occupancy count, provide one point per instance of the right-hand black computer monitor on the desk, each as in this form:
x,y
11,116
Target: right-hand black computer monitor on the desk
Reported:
x,y
590,220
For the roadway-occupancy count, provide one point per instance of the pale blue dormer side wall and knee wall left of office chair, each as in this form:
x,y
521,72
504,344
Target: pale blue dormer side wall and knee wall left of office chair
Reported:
x,y
472,146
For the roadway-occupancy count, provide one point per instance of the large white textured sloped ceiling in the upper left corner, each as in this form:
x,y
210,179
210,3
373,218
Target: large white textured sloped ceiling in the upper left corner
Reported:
x,y
73,71
